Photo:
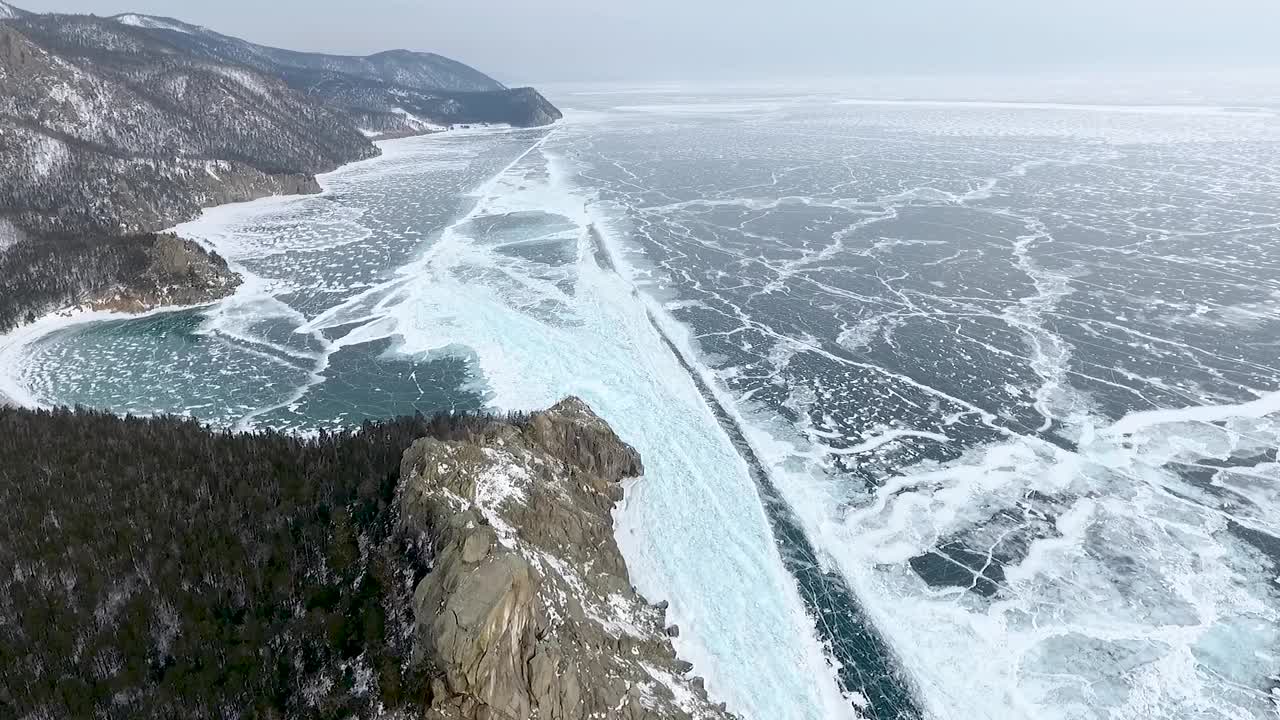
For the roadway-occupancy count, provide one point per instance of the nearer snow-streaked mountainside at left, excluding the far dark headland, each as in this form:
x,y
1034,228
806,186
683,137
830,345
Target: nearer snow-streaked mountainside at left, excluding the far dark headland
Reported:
x,y
106,130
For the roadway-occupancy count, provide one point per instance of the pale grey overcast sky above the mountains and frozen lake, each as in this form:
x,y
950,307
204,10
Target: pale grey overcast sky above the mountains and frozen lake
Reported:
x,y
698,40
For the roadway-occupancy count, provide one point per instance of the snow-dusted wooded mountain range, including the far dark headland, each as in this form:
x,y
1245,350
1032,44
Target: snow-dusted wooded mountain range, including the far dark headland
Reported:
x,y
130,125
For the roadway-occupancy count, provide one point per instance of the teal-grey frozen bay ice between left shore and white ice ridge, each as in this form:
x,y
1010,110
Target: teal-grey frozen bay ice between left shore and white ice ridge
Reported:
x,y
243,362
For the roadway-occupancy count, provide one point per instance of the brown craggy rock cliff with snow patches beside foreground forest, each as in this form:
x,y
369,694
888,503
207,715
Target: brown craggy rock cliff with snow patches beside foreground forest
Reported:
x,y
528,610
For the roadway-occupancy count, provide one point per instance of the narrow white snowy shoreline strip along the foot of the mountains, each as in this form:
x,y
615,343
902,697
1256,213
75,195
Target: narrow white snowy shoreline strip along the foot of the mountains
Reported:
x,y
15,394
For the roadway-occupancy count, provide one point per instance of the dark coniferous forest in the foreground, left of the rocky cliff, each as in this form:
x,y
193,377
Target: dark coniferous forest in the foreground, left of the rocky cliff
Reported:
x,y
154,568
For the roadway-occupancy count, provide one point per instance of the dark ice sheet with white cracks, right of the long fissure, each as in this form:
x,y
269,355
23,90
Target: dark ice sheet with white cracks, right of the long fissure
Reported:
x,y
1012,366
